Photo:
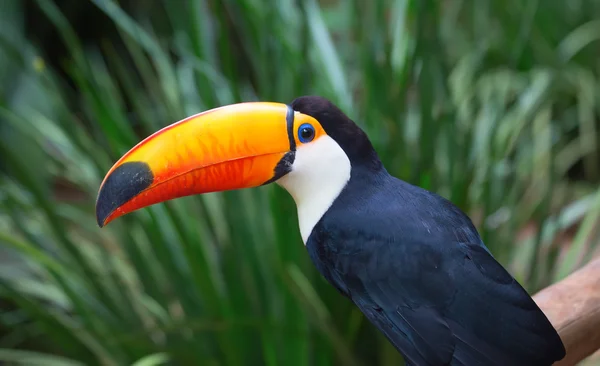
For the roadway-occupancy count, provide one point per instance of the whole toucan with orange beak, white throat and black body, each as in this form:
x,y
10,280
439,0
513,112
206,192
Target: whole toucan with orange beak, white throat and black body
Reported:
x,y
409,259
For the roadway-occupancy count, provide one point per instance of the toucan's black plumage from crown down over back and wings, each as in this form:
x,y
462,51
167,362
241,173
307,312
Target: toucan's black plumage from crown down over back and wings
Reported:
x,y
416,267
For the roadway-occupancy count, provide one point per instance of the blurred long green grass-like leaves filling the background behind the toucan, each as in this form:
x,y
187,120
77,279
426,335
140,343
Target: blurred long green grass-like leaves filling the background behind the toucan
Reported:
x,y
491,103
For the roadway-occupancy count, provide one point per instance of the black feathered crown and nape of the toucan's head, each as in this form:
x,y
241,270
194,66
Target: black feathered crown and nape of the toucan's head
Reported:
x,y
351,138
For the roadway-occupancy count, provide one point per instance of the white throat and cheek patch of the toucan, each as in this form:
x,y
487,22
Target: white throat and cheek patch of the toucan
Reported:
x,y
320,171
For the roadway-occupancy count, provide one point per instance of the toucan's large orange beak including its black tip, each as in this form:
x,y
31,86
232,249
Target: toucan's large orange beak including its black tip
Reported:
x,y
237,146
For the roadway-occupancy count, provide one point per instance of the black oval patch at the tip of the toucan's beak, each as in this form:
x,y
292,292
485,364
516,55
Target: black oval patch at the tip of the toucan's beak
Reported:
x,y
125,182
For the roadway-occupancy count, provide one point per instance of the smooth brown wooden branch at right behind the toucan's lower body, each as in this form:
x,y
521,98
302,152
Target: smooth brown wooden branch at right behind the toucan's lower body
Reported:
x,y
573,307
